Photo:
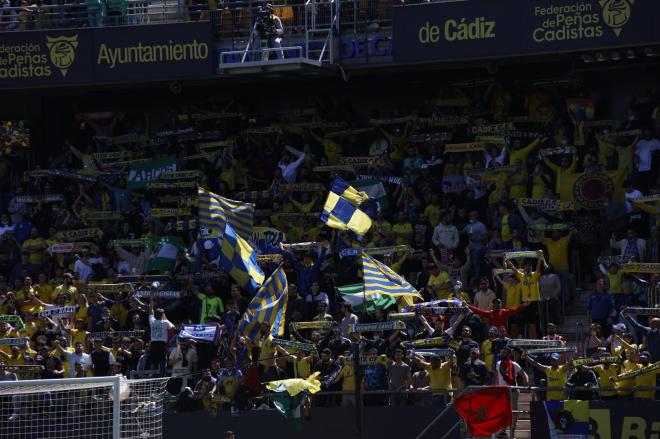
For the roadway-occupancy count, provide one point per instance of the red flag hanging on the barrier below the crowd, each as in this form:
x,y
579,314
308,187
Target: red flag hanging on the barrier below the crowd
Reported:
x,y
485,411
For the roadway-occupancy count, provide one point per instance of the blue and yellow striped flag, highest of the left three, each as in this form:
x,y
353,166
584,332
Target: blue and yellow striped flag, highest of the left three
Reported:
x,y
215,211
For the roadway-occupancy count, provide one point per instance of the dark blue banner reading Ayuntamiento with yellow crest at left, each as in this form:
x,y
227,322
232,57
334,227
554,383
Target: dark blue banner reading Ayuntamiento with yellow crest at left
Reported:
x,y
106,54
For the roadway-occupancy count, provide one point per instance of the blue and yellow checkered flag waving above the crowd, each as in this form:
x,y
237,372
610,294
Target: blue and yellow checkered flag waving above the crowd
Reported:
x,y
341,210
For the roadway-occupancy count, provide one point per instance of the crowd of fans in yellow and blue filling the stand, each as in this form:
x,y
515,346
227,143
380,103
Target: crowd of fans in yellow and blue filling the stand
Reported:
x,y
457,213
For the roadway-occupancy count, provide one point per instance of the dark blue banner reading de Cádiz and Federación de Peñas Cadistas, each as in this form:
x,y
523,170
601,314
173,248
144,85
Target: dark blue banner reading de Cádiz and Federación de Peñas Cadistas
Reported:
x,y
486,29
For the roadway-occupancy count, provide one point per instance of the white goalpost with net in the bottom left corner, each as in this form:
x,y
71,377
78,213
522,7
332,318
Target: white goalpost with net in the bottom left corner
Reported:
x,y
95,408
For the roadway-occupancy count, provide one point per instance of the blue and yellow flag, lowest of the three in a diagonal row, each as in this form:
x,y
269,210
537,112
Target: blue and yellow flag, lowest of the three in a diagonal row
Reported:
x,y
268,306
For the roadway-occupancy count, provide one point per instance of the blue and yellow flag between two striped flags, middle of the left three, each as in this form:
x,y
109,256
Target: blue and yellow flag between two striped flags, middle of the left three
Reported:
x,y
240,260
